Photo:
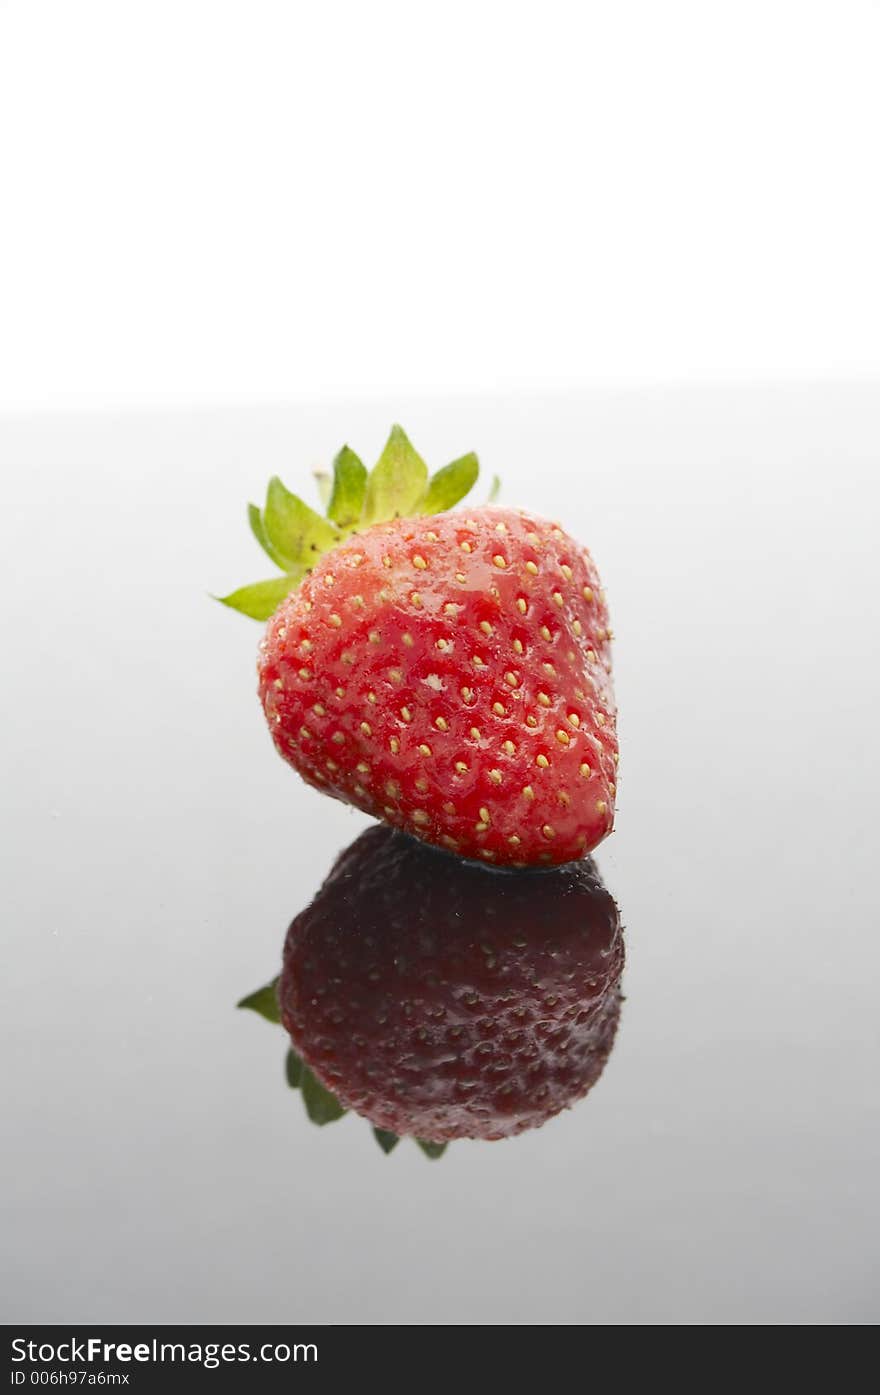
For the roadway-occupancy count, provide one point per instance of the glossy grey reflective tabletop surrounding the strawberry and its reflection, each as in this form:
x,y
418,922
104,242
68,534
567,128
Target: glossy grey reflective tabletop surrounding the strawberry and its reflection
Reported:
x,y
154,850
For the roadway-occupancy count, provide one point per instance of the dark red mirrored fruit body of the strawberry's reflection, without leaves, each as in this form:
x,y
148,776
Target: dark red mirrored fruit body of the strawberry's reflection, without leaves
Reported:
x,y
448,1001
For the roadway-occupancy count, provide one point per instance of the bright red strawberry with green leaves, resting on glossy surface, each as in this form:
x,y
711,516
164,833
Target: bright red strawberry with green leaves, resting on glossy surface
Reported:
x,y
446,672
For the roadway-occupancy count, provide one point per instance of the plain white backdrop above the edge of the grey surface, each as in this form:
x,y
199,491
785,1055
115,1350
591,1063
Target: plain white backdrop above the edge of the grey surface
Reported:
x,y
252,200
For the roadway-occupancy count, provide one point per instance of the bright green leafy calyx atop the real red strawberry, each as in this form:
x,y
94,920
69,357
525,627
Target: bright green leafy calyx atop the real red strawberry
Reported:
x,y
295,538
